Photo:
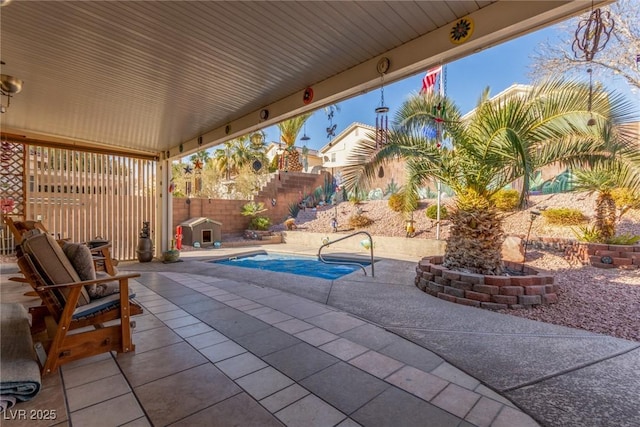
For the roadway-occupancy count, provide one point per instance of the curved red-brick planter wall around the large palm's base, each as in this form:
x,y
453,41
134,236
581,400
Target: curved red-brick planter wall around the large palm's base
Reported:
x,y
490,292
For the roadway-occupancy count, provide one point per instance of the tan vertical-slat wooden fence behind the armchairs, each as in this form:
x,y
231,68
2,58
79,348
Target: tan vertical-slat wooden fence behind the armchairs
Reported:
x,y
82,196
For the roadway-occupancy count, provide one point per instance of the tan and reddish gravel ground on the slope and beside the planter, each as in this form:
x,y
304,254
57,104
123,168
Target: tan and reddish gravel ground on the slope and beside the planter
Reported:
x,y
593,299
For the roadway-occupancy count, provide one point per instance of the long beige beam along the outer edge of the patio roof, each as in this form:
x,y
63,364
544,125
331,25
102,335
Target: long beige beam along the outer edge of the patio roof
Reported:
x,y
496,23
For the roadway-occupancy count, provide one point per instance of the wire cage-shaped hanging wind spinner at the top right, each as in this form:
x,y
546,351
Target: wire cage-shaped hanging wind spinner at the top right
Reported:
x,y
591,37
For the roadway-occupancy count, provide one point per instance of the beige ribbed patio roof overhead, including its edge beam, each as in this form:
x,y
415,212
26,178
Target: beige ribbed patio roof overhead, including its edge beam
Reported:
x,y
166,78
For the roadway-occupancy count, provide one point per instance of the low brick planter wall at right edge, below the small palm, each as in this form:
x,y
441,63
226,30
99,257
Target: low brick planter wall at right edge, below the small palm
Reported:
x,y
621,256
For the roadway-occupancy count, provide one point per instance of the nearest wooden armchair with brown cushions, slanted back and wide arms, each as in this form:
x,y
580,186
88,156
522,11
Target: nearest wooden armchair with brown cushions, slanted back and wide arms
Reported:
x,y
67,307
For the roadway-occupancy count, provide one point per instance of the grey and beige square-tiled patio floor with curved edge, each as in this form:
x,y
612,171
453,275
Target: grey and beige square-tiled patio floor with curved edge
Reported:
x,y
219,352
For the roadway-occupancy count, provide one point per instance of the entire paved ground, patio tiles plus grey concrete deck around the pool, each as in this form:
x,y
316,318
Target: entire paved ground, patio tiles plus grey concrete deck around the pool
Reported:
x,y
374,351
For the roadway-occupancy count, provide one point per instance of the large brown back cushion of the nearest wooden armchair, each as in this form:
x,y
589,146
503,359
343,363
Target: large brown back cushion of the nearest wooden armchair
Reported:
x,y
52,263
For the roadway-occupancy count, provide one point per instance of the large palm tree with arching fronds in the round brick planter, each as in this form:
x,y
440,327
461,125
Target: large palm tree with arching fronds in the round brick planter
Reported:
x,y
503,139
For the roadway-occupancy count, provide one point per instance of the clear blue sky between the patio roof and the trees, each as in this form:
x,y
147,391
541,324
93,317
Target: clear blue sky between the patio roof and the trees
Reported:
x,y
498,67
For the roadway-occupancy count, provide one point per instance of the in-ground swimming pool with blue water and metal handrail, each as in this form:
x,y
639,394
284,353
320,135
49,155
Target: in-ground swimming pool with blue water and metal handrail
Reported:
x,y
293,264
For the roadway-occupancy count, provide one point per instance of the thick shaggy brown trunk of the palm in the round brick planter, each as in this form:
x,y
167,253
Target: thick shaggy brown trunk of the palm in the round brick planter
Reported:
x,y
475,241
